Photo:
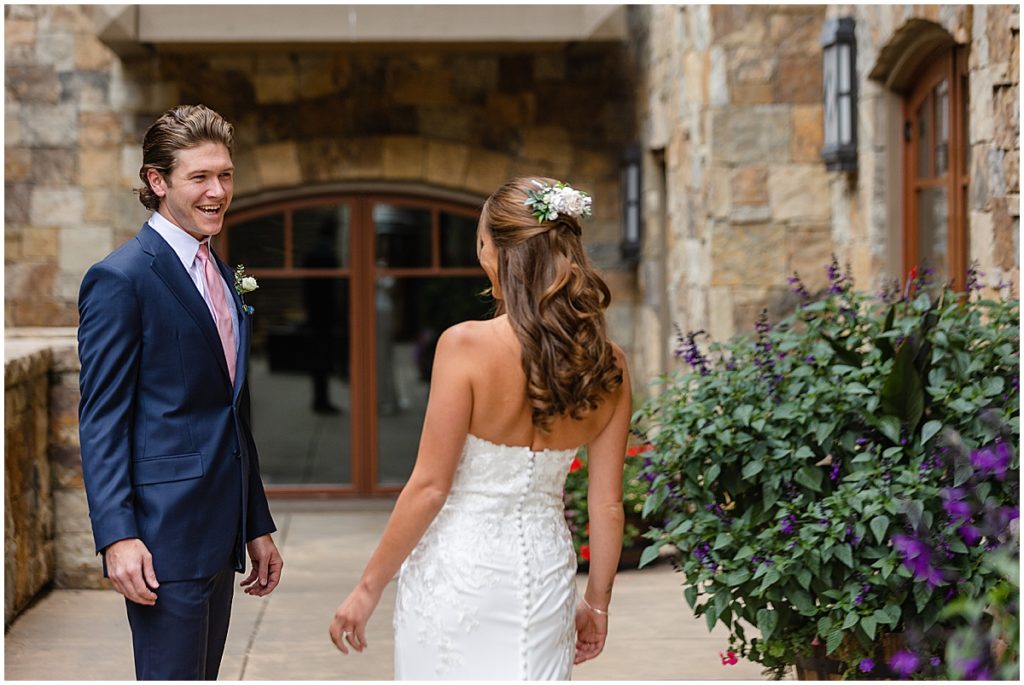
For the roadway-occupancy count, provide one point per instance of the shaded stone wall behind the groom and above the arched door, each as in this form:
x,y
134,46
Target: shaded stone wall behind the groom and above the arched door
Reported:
x,y
445,119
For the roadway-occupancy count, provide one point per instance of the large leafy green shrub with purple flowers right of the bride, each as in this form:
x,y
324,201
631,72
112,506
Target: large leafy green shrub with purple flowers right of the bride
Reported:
x,y
842,476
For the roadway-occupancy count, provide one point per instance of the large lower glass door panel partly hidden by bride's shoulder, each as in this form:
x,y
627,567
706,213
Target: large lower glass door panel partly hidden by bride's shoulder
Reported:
x,y
412,313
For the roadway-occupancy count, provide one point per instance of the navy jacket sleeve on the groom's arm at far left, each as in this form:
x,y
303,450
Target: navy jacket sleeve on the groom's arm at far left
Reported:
x,y
110,344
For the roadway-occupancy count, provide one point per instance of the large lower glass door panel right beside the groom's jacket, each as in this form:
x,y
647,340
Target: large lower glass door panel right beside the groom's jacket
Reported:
x,y
300,379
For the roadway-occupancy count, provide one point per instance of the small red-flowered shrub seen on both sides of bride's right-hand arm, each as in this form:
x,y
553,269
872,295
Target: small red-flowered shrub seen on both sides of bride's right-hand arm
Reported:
x,y
634,492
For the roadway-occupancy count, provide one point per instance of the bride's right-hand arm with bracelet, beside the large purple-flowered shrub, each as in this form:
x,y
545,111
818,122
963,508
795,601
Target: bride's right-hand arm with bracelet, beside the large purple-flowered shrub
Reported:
x,y
605,505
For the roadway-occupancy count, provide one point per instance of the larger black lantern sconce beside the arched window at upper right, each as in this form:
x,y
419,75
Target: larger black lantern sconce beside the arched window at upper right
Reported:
x,y
839,64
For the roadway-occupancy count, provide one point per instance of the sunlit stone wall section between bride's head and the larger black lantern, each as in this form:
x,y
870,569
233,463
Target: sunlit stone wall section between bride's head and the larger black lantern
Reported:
x,y
731,99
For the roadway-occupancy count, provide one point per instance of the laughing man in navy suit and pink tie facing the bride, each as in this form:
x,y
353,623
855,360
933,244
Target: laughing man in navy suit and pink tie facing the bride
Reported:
x,y
170,466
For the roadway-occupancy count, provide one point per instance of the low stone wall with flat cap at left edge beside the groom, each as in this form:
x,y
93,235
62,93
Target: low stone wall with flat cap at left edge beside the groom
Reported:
x,y
48,537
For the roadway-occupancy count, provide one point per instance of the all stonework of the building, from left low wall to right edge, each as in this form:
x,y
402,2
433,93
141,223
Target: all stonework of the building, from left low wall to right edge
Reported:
x,y
726,104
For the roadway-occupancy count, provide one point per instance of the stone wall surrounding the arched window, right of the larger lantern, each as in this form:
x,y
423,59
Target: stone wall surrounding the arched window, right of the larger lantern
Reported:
x,y
867,218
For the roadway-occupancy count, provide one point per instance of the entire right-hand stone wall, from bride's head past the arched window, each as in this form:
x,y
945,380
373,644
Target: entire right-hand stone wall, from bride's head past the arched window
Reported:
x,y
737,196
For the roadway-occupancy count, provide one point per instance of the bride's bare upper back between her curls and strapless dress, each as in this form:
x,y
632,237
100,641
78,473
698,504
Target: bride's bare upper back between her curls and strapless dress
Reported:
x,y
502,411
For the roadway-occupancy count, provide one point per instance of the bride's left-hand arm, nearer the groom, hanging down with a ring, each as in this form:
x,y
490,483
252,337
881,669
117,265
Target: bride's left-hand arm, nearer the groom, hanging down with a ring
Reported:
x,y
445,430
